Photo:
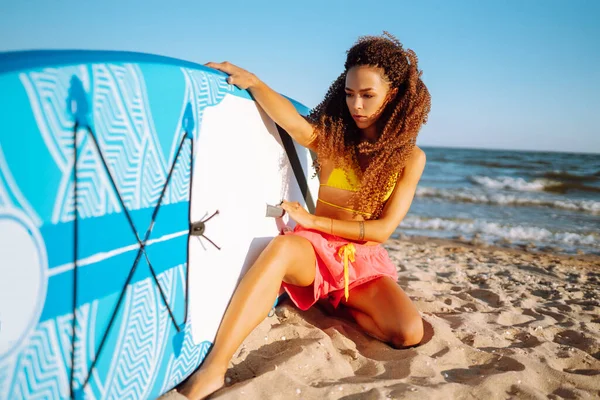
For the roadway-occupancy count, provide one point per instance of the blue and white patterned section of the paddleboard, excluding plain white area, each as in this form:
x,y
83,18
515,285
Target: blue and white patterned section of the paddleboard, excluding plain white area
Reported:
x,y
116,326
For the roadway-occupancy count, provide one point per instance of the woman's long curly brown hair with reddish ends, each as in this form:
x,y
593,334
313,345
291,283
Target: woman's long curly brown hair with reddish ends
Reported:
x,y
403,114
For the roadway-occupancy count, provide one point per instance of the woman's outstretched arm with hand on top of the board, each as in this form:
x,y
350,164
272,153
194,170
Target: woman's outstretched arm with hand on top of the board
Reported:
x,y
277,107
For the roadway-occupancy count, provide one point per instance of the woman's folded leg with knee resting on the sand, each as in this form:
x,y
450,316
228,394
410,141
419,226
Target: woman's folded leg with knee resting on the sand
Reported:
x,y
394,313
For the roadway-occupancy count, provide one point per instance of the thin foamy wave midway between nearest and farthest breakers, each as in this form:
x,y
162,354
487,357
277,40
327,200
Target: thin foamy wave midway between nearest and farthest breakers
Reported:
x,y
501,199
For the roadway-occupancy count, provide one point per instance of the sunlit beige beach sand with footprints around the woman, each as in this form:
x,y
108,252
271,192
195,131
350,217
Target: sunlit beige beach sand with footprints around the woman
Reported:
x,y
499,324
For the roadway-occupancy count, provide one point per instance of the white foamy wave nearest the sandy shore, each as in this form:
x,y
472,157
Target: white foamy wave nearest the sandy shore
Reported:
x,y
493,231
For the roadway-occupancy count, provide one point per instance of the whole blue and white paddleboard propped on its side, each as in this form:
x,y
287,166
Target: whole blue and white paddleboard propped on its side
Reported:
x,y
133,190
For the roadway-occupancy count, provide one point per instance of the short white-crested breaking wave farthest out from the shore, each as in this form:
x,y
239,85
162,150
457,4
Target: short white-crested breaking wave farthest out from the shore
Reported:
x,y
537,185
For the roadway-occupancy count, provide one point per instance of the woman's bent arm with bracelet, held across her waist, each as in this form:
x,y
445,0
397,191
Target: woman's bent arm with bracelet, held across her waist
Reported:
x,y
395,210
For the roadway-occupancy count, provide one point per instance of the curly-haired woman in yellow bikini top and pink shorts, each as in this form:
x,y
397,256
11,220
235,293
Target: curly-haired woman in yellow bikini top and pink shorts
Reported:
x,y
364,133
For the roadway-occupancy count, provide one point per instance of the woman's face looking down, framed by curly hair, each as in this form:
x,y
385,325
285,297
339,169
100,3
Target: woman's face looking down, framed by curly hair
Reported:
x,y
366,94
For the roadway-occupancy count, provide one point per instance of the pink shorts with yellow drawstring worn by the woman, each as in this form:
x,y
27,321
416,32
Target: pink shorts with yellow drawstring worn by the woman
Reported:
x,y
371,262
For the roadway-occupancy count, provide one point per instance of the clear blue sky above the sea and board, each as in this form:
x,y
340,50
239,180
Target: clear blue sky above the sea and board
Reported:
x,y
510,74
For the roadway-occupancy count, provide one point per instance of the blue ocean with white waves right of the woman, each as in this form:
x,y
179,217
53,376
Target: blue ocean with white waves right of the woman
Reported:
x,y
543,201
